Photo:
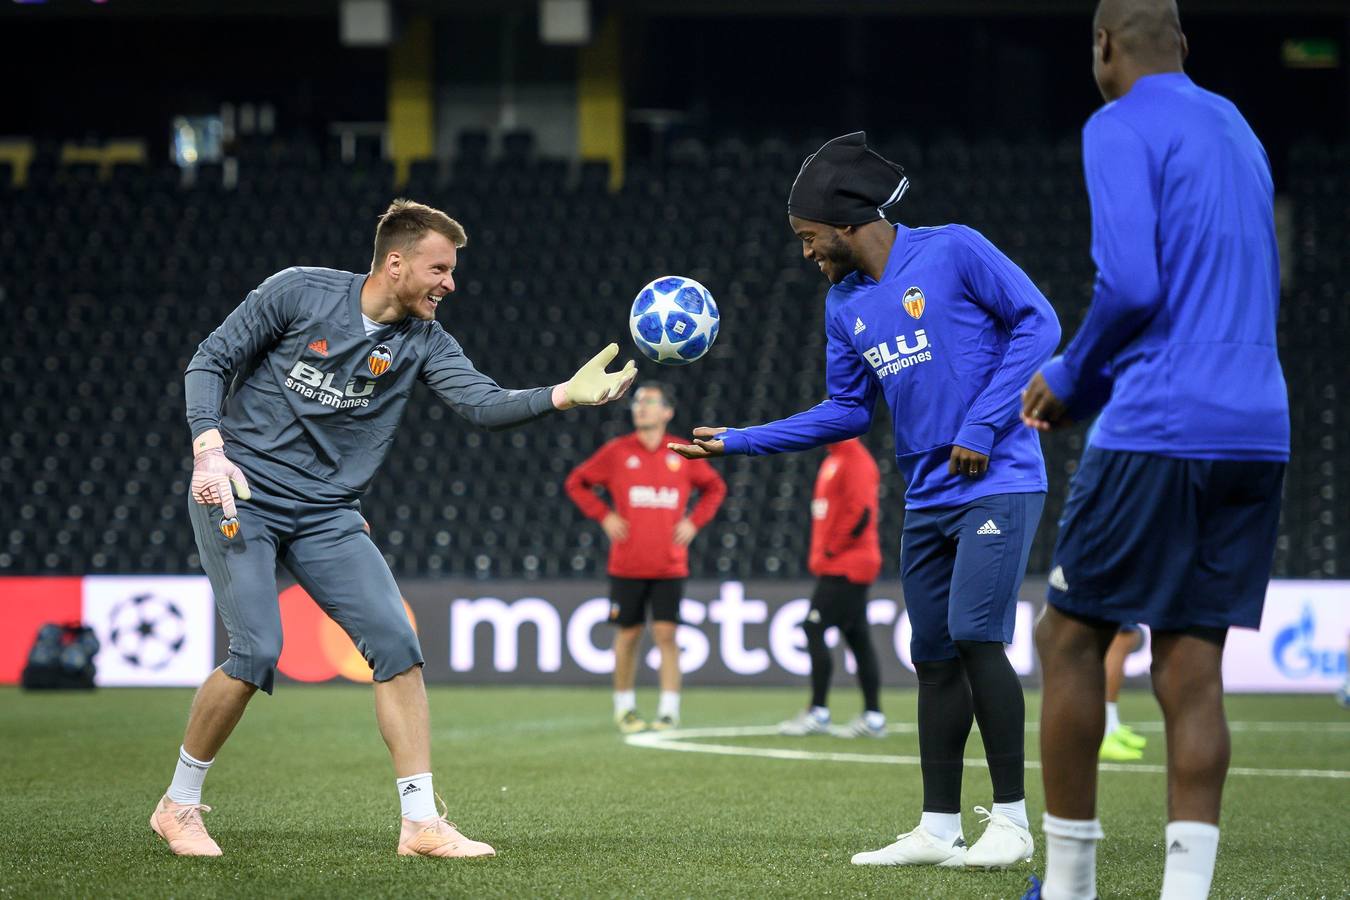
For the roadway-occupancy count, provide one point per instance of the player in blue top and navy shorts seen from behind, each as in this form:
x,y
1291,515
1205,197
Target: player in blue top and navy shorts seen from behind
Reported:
x,y
1172,516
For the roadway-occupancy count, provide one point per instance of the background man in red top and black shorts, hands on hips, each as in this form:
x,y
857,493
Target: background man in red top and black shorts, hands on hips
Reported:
x,y
649,542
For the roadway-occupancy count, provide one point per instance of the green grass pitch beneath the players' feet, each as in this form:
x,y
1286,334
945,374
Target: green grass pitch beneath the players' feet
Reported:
x,y
304,802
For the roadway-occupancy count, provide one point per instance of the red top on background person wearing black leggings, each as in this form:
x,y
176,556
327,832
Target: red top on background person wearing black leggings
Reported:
x,y
844,515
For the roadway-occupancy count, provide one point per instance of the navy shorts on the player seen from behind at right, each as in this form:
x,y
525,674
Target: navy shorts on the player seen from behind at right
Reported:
x,y
1174,544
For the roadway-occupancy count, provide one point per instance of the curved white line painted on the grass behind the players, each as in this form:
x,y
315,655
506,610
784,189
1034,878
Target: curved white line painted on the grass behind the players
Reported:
x,y
686,741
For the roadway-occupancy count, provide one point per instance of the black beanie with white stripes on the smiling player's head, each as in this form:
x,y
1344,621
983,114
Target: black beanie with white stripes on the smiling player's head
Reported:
x,y
846,184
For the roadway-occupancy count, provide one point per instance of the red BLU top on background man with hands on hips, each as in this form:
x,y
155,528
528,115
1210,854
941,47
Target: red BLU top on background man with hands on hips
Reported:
x,y
650,490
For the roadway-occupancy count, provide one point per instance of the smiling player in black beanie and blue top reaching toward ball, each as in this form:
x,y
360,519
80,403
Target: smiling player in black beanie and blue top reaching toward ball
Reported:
x,y
948,330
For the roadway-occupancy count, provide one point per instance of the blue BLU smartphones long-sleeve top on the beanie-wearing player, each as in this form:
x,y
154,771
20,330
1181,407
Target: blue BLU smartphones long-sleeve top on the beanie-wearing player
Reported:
x,y
951,337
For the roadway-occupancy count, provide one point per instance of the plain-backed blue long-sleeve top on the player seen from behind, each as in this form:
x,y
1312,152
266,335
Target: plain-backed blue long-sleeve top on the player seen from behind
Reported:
x,y
1181,341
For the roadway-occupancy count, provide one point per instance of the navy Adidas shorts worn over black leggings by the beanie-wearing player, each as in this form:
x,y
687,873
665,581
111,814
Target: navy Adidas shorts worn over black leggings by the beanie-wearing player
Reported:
x,y
962,569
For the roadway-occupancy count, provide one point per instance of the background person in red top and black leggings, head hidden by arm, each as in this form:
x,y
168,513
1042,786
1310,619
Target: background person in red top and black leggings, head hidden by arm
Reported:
x,y
846,559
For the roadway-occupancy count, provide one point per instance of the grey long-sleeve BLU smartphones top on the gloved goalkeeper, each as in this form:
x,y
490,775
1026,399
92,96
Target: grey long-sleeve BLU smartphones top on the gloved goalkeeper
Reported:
x,y
314,401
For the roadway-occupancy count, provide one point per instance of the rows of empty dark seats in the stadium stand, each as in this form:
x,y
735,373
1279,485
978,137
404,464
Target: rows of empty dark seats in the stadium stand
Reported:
x,y
129,275
